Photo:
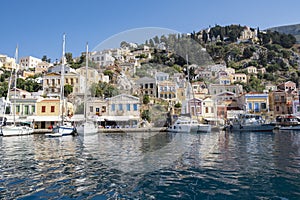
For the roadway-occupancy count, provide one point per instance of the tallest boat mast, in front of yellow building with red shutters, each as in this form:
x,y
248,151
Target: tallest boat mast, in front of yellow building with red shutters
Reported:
x,y
62,78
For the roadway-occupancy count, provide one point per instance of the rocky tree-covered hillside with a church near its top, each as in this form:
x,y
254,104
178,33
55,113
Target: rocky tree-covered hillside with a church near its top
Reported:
x,y
239,47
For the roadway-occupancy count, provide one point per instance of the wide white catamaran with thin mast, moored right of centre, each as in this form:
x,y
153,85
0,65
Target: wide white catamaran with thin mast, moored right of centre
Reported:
x,y
186,124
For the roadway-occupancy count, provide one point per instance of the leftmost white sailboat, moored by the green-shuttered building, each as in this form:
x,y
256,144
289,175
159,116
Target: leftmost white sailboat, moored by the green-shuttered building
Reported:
x,y
14,129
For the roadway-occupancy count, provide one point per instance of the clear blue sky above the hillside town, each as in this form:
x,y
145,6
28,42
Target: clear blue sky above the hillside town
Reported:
x,y
37,26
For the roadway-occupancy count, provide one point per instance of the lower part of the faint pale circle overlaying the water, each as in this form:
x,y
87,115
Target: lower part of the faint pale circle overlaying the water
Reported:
x,y
137,153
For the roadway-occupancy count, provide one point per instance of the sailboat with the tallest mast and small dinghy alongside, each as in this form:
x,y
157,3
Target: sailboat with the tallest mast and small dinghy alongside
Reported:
x,y
65,127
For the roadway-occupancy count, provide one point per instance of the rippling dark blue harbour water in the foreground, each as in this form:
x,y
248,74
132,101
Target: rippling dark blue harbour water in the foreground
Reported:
x,y
151,166
